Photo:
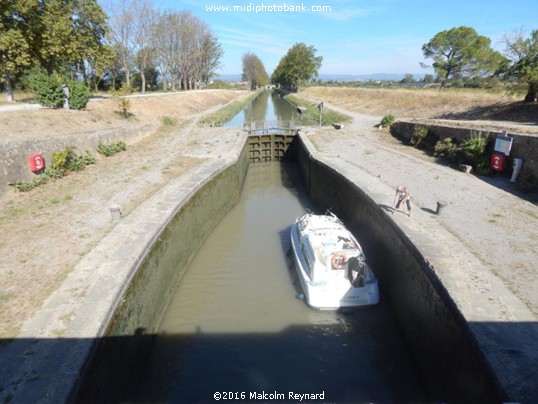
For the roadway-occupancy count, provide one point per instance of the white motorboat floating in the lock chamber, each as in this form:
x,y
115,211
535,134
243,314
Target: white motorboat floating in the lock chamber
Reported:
x,y
330,264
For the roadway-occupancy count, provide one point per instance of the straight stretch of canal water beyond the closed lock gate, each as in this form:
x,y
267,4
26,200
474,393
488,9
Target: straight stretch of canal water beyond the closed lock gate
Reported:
x,y
269,106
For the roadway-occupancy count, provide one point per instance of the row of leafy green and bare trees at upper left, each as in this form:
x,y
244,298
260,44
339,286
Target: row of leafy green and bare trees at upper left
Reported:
x,y
78,40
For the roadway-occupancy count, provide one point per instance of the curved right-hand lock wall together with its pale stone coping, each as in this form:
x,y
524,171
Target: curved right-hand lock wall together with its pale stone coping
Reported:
x,y
461,347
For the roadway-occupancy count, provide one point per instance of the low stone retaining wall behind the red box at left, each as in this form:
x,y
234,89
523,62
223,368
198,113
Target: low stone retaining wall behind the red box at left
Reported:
x,y
14,155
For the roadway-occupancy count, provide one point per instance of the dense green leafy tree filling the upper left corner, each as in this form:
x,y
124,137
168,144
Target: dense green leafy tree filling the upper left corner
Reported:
x,y
59,35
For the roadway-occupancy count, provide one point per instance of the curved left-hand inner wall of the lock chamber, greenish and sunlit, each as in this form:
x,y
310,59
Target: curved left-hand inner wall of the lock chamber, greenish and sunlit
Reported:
x,y
120,355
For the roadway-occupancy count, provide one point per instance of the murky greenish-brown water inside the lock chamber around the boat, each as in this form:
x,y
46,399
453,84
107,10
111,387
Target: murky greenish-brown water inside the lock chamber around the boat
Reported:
x,y
235,325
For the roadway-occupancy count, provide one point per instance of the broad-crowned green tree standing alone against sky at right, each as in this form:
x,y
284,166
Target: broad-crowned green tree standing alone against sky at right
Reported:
x,y
461,52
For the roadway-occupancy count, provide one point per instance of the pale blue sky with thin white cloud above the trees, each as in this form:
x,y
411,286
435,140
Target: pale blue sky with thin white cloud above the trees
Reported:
x,y
355,37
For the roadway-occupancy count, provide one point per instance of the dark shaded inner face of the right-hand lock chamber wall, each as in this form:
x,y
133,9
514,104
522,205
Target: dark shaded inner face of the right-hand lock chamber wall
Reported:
x,y
452,365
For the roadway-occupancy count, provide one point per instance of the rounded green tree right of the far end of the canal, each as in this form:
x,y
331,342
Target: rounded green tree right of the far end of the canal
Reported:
x,y
299,65
